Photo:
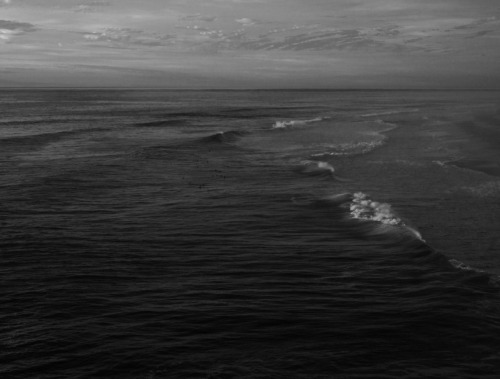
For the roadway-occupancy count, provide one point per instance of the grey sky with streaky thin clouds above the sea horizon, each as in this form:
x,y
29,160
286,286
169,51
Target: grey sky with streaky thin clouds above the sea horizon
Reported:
x,y
331,44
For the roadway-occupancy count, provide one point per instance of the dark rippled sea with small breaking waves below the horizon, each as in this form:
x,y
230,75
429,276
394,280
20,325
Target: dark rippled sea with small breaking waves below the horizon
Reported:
x,y
252,234
